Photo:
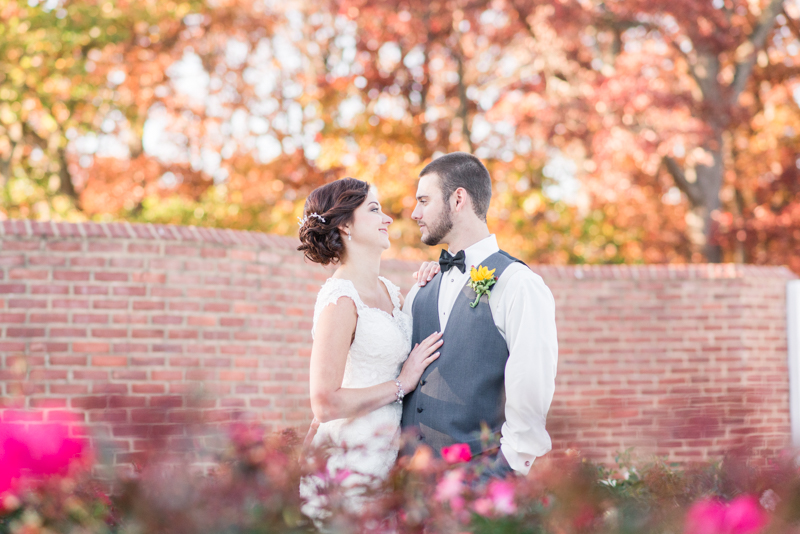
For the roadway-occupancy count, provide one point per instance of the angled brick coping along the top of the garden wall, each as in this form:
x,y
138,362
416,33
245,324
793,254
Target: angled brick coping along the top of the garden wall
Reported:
x,y
124,230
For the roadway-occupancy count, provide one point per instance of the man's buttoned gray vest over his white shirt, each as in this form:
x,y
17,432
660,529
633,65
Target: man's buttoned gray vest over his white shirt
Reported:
x,y
465,386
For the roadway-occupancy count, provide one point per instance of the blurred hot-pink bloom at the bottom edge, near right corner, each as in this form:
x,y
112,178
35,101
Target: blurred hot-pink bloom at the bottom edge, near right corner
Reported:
x,y
743,515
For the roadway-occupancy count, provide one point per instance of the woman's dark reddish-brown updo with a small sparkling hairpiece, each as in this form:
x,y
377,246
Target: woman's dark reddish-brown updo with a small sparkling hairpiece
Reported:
x,y
327,208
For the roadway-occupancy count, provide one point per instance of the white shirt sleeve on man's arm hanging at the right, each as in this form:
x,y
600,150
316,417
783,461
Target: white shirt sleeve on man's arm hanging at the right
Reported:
x,y
527,313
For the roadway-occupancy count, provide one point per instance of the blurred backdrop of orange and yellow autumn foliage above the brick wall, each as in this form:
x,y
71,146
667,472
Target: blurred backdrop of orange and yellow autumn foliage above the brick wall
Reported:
x,y
632,131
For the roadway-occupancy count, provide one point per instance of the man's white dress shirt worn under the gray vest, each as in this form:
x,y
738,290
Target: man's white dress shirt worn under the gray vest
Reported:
x,y
523,310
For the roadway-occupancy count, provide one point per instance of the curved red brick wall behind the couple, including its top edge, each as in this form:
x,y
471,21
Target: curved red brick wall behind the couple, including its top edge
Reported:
x,y
127,328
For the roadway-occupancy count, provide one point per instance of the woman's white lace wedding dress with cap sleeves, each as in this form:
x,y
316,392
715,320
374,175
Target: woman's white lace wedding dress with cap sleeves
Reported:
x,y
362,449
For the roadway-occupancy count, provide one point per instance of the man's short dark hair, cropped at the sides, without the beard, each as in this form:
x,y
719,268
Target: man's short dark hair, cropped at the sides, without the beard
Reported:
x,y
459,169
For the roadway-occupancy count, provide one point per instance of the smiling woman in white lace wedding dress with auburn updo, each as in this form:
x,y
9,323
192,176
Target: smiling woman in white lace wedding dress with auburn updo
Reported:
x,y
362,362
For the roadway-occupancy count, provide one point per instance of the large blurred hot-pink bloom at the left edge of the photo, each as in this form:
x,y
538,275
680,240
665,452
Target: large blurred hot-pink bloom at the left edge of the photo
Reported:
x,y
38,450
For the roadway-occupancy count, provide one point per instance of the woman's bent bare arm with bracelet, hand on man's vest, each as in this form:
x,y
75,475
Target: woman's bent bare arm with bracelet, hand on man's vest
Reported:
x,y
333,335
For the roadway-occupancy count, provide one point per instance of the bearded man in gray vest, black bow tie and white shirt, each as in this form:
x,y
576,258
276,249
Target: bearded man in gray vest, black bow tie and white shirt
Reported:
x,y
498,362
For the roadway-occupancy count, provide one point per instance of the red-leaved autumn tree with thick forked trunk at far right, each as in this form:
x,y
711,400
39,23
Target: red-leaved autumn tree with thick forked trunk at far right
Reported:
x,y
667,88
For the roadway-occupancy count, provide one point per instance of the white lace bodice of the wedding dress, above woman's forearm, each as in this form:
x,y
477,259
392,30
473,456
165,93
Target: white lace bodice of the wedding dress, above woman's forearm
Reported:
x,y
382,341
